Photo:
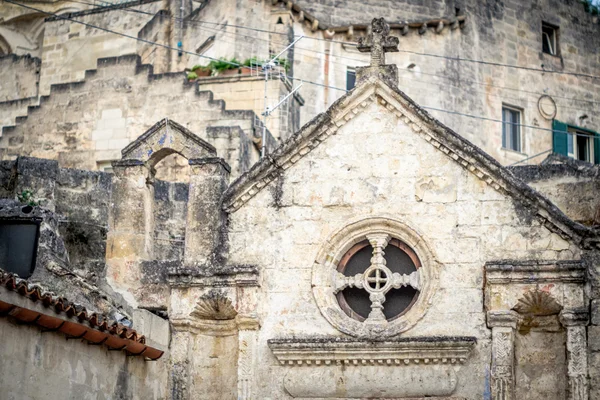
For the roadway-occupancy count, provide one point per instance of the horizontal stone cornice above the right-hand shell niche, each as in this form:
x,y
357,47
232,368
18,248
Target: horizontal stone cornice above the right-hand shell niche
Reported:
x,y
504,272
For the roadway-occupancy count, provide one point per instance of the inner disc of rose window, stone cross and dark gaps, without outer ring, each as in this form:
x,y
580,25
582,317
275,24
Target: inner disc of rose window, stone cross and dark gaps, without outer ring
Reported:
x,y
378,279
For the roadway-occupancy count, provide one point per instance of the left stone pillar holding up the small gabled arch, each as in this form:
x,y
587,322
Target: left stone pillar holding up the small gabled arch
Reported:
x,y
131,225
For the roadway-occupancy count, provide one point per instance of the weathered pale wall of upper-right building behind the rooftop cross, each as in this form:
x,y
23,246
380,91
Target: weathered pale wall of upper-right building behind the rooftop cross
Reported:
x,y
461,86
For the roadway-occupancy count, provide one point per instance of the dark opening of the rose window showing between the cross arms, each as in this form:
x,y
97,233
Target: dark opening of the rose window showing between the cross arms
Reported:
x,y
399,258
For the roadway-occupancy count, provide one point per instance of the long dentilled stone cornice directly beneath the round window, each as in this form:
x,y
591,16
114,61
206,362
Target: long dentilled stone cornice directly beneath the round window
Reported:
x,y
338,351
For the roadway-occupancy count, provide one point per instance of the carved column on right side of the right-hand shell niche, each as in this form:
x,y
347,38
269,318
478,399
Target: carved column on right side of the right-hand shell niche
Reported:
x,y
575,321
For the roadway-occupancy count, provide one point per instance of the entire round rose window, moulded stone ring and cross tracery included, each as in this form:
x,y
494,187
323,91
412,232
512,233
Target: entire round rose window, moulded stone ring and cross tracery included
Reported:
x,y
375,277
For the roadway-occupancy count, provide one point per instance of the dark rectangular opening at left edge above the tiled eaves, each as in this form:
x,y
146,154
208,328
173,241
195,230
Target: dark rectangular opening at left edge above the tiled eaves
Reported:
x,y
18,246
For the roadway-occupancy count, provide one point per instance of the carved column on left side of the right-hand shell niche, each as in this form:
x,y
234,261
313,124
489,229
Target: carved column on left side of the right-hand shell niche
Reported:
x,y
503,325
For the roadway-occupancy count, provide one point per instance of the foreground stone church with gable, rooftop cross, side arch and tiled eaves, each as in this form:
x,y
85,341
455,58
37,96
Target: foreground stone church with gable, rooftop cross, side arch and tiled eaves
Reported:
x,y
374,254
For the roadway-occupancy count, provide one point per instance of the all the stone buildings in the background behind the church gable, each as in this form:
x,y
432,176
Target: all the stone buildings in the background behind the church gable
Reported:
x,y
521,114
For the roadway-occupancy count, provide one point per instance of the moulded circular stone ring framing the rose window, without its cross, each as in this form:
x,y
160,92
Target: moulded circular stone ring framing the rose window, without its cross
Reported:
x,y
325,270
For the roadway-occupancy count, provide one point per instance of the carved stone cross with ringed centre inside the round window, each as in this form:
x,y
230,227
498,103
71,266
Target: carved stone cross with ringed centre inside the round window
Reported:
x,y
378,279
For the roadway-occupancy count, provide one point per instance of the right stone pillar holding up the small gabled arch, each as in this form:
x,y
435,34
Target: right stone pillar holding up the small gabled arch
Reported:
x,y
204,236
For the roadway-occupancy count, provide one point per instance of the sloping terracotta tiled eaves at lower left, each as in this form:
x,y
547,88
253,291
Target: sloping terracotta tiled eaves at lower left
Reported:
x,y
31,304
